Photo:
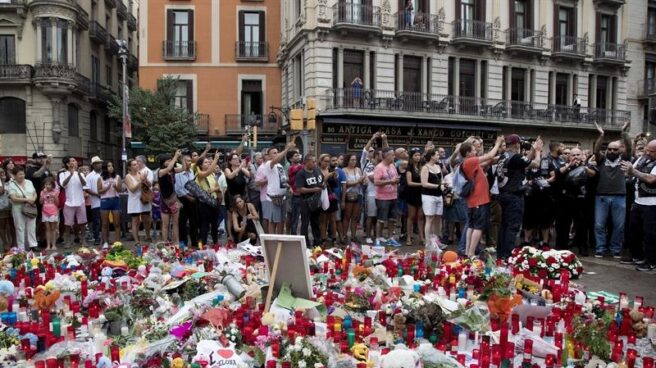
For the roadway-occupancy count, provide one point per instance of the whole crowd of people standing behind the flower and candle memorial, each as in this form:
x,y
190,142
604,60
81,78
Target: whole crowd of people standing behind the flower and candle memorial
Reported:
x,y
518,192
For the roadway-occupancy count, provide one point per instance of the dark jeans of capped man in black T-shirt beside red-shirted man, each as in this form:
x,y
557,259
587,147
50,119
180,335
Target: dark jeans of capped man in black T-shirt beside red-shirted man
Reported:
x,y
512,213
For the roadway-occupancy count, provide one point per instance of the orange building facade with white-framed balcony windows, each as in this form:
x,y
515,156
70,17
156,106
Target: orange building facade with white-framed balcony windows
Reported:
x,y
224,54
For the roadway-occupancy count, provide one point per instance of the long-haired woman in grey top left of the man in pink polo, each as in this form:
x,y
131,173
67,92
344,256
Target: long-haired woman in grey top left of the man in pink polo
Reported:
x,y
352,197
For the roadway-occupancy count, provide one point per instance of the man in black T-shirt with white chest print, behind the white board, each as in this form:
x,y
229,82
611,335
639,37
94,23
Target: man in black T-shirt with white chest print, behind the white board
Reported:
x,y
310,184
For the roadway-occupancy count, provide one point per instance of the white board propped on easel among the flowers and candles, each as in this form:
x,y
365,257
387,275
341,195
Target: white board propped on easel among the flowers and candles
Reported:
x,y
292,266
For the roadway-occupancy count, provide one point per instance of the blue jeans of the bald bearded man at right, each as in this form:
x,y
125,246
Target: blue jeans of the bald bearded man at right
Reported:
x,y
616,206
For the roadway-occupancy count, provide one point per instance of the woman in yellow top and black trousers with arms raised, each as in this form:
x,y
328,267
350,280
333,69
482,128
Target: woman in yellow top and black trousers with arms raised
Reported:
x,y
209,215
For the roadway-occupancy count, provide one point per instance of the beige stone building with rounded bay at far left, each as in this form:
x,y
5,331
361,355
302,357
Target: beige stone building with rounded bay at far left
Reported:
x,y
59,66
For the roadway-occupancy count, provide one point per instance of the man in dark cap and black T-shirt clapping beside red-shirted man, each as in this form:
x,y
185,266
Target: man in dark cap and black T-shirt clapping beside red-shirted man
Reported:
x,y
511,173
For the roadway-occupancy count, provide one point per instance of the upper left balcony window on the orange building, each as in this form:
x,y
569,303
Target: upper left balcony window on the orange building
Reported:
x,y
180,33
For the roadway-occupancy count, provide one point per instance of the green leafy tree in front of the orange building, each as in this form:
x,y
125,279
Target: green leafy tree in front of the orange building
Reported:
x,y
157,122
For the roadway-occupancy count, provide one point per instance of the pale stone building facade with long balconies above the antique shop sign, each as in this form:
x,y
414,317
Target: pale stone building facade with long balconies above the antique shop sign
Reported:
x,y
441,70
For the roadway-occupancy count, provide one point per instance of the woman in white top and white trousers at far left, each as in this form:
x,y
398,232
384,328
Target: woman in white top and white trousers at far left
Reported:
x,y
22,193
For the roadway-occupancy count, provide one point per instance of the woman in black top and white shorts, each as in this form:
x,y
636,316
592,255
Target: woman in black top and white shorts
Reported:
x,y
431,195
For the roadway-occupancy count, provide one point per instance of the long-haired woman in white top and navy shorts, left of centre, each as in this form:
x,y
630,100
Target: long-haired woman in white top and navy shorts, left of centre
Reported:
x,y
109,187
